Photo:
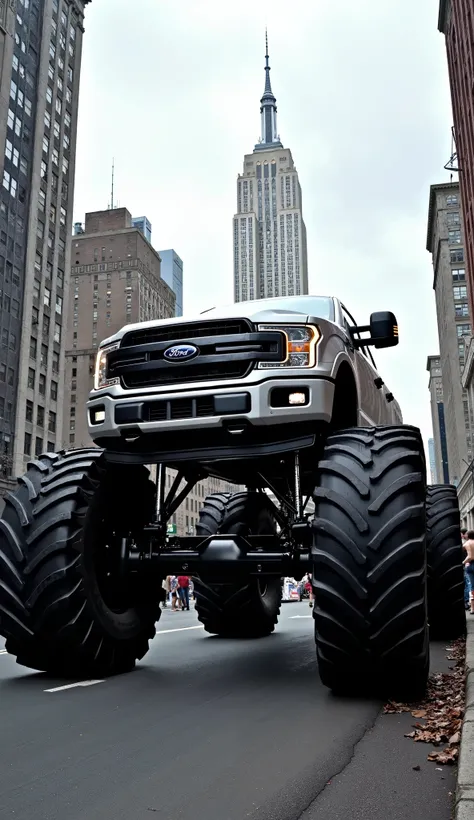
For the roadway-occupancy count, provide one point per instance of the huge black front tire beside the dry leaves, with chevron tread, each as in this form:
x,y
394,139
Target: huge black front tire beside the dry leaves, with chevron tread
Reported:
x,y
369,563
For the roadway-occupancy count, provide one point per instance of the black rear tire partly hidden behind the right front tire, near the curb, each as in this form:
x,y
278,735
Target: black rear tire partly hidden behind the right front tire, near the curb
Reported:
x,y
446,612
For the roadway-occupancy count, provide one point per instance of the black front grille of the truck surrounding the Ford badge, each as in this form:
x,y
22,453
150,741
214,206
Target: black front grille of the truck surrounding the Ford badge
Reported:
x,y
227,350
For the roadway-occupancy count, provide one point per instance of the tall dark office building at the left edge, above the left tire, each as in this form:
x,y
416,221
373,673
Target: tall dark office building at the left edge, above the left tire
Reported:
x,y
40,50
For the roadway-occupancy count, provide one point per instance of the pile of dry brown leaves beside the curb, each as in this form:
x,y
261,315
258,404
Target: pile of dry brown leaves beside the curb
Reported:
x,y
442,710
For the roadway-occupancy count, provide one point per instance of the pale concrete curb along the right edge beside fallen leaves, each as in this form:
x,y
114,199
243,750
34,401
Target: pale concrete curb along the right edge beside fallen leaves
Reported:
x,y
465,785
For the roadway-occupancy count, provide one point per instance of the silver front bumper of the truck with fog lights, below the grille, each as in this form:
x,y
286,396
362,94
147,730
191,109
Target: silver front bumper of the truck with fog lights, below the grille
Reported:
x,y
207,409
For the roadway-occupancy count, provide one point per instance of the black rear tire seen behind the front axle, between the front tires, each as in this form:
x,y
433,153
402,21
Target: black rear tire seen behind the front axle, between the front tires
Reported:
x,y
233,610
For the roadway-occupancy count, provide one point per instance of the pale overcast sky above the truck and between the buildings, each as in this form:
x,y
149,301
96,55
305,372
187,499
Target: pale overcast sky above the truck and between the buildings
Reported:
x,y
171,89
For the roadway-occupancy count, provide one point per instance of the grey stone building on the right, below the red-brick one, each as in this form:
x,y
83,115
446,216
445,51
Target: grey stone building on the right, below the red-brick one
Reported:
x,y
445,242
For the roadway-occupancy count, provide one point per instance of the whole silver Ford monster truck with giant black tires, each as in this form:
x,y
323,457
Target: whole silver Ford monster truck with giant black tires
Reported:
x,y
280,396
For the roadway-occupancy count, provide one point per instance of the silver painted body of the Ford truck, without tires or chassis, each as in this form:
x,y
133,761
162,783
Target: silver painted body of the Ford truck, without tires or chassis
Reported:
x,y
178,394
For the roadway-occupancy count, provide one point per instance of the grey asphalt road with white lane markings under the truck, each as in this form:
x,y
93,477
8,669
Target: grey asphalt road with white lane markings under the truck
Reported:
x,y
210,729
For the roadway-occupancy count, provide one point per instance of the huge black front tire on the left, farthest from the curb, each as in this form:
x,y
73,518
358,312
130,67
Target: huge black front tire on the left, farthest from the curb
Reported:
x,y
53,613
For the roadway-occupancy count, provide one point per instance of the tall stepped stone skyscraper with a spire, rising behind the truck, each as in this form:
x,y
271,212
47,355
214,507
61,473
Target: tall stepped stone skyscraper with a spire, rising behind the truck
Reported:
x,y
270,255
